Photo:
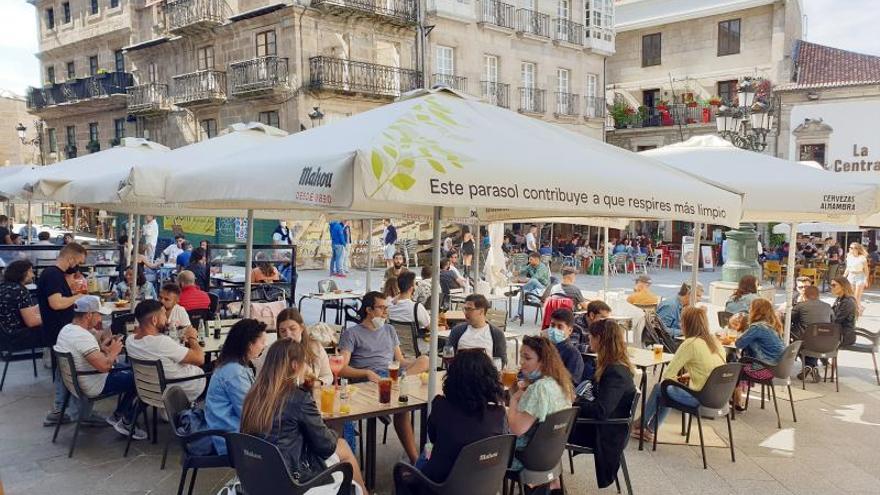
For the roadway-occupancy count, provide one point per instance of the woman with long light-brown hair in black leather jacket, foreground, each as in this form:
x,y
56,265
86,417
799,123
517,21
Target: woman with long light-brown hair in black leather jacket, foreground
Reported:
x,y
281,409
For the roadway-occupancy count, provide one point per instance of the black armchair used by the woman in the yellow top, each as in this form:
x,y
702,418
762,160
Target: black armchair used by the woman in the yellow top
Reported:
x,y
713,402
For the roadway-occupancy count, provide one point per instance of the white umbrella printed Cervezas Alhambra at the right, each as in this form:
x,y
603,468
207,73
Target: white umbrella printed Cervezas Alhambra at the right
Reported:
x,y
774,190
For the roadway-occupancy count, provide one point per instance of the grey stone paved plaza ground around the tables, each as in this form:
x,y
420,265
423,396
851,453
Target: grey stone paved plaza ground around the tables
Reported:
x,y
831,449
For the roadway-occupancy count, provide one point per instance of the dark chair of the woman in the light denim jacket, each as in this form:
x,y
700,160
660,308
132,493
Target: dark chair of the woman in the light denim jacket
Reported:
x,y
176,401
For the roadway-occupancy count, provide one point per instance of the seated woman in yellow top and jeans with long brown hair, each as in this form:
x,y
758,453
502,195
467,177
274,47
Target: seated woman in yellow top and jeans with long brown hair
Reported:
x,y
699,354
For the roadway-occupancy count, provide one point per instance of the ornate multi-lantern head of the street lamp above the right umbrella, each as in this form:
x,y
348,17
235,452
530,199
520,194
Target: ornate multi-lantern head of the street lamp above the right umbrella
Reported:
x,y
746,125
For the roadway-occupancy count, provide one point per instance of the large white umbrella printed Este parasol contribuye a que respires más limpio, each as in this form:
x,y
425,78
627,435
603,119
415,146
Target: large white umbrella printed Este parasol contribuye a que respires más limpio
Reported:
x,y
445,154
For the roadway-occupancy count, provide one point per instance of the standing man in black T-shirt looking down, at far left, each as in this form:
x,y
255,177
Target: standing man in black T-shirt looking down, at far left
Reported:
x,y
56,300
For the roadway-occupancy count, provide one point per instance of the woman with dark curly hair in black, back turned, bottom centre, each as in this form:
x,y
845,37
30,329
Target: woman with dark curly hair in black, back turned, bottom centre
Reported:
x,y
472,396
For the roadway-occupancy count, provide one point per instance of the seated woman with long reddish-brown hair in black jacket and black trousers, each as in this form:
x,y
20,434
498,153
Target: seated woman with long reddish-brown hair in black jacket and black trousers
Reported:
x,y
608,395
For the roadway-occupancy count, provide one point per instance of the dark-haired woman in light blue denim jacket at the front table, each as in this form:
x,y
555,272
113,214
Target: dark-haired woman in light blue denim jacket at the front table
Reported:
x,y
233,377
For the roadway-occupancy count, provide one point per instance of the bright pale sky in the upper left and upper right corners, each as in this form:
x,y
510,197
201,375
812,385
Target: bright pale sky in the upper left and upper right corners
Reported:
x,y
846,24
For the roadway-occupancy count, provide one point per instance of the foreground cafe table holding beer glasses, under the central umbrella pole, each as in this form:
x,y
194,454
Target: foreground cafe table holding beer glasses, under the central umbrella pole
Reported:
x,y
364,402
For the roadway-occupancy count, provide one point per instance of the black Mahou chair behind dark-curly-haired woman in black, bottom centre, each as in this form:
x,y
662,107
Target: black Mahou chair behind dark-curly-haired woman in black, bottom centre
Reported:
x,y
479,468
